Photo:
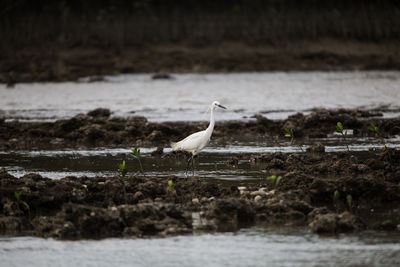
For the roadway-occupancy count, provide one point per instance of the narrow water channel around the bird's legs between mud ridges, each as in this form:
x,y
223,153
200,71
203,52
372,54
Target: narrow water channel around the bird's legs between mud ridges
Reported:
x,y
211,164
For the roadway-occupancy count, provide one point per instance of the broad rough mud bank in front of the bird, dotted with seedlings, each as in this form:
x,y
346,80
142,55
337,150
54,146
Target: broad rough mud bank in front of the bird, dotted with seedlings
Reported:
x,y
330,193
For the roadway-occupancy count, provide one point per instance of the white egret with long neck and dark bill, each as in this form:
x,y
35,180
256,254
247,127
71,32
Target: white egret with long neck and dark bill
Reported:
x,y
195,142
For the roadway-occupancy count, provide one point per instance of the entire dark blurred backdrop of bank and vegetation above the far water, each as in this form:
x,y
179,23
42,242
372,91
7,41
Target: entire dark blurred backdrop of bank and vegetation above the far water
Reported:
x,y
63,40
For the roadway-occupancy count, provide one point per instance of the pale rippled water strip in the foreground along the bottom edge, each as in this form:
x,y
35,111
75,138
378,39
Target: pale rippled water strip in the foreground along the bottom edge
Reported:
x,y
249,247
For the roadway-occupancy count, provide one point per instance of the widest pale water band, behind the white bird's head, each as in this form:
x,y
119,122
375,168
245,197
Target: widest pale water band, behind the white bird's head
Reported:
x,y
186,97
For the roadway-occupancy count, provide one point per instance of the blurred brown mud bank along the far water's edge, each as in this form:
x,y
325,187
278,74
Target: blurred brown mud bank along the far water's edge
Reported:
x,y
49,62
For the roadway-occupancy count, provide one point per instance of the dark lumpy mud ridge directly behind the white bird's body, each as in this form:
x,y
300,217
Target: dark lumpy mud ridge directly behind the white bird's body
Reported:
x,y
99,128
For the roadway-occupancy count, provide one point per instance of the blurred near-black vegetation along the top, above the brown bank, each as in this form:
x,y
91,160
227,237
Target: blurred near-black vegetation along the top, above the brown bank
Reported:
x,y
124,22
